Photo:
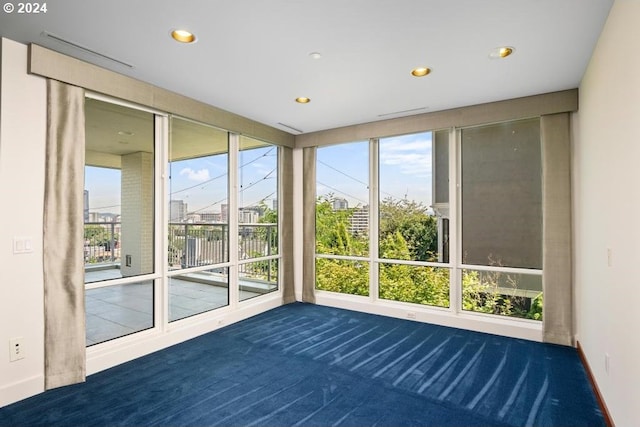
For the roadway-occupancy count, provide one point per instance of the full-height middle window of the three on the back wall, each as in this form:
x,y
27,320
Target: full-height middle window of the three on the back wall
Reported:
x,y
413,212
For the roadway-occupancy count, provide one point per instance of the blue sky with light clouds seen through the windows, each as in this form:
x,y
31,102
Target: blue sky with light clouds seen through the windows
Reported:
x,y
405,170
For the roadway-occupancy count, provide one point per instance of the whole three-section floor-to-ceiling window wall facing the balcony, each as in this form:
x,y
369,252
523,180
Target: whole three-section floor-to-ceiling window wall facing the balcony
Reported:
x,y
164,238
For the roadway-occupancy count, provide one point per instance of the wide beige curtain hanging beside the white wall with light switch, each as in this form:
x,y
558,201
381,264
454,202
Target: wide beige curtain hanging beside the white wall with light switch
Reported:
x,y
63,239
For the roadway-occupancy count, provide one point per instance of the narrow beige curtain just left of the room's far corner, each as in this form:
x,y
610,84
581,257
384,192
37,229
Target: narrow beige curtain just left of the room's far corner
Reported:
x,y
286,218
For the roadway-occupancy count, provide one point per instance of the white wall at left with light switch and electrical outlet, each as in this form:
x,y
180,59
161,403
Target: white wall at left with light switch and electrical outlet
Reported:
x,y
22,156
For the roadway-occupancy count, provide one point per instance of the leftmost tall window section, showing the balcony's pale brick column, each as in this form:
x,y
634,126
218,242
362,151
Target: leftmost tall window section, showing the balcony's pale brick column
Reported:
x,y
119,220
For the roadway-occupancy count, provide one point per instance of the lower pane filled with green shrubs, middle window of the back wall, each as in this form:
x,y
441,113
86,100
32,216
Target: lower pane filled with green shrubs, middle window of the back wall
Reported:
x,y
414,284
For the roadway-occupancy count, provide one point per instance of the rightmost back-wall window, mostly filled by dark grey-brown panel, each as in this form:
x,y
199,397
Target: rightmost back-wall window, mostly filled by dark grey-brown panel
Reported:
x,y
501,214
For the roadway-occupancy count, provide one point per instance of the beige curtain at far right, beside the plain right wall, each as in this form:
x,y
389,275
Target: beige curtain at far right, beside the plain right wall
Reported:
x,y
556,229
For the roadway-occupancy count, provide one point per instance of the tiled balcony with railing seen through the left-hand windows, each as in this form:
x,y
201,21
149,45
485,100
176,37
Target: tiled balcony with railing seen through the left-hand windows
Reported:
x,y
115,311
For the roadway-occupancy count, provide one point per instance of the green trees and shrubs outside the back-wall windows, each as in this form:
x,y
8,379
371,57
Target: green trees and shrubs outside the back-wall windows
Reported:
x,y
408,233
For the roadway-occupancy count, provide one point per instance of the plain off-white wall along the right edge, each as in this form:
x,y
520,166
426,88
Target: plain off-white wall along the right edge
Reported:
x,y
606,162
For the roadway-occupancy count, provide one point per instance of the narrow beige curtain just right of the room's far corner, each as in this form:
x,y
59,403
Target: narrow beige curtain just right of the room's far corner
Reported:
x,y
309,224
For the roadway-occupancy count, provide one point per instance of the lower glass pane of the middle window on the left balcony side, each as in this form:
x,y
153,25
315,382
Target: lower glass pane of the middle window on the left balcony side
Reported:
x,y
198,292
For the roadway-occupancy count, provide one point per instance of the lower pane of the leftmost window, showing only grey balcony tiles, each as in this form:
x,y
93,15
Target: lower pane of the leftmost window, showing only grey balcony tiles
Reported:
x,y
116,311
